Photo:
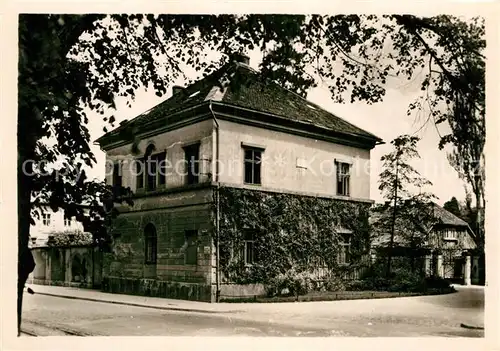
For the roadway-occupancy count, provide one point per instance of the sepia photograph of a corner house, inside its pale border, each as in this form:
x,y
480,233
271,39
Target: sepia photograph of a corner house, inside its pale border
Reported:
x,y
250,174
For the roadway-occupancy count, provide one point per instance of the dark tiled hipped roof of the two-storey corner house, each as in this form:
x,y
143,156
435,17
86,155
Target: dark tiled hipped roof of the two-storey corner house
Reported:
x,y
251,92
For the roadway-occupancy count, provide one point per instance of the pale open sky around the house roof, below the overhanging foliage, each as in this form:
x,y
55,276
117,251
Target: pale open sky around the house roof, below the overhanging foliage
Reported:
x,y
387,120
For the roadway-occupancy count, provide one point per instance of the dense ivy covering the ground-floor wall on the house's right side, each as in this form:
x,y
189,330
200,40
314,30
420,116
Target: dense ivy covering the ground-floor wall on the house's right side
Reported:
x,y
291,233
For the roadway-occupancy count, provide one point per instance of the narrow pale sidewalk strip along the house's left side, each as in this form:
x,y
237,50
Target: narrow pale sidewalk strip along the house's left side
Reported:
x,y
132,300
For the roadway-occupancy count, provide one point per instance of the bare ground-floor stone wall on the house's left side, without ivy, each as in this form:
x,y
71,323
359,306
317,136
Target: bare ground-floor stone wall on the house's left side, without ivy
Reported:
x,y
125,268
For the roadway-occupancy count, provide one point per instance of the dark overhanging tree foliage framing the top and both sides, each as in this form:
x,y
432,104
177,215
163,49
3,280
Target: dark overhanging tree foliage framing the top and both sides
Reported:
x,y
69,62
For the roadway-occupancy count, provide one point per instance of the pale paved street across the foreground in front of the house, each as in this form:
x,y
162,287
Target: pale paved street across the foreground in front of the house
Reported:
x,y
413,316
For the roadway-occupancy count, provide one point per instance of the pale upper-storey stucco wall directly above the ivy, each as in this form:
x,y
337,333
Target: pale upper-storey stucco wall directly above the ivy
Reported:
x,y
292,163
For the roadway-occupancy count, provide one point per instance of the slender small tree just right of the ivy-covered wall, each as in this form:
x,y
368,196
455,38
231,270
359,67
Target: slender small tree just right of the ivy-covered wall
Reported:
x,y
405,212
